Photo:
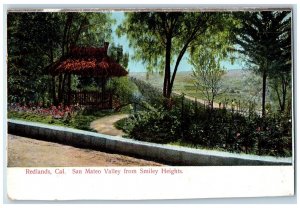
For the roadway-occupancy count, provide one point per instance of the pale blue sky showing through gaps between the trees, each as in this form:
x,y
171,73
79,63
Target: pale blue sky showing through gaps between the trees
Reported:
x,y
138,66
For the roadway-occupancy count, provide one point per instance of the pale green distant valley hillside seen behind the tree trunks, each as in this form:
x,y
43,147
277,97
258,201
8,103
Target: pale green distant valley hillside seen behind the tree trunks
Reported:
x,y
241,85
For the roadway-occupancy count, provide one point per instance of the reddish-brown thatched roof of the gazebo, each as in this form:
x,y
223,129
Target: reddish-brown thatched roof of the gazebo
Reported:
x,y
88,61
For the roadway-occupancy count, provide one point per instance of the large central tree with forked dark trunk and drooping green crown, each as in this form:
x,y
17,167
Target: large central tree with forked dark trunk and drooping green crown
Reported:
x,y
162,38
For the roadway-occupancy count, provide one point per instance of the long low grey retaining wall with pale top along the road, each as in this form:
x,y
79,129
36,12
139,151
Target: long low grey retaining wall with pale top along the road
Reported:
x,y
167,154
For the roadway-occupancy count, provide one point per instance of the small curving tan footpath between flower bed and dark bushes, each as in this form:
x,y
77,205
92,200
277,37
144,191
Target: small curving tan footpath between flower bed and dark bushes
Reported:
x,y
105,125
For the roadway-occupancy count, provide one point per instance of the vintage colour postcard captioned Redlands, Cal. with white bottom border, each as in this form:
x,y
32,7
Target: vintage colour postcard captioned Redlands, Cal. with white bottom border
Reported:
x,y
166,103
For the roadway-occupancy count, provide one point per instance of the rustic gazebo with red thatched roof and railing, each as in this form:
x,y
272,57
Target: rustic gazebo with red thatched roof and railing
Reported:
x,y
88,62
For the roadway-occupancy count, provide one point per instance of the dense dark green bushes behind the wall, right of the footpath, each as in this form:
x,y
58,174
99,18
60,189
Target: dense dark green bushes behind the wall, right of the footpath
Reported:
x,y
193,125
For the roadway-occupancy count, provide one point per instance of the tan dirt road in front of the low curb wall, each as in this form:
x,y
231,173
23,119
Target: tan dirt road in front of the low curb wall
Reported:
x,y
26,152
